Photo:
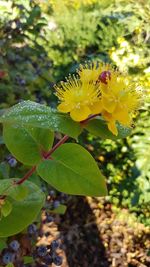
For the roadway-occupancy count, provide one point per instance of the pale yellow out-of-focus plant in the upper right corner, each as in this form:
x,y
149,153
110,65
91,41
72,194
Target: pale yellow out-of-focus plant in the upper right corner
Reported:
x,y
132,51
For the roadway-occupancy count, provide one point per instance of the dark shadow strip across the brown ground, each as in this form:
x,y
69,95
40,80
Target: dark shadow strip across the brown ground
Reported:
x,y
82,243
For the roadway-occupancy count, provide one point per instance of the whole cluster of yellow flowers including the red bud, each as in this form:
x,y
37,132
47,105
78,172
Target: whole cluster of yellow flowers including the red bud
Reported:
x,y
99,89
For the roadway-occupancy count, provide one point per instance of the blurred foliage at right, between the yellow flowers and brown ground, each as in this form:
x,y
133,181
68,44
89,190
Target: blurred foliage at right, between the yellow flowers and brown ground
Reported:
x,y
126,164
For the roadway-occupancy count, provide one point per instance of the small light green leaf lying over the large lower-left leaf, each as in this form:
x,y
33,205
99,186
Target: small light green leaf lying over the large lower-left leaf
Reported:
x,y
18,192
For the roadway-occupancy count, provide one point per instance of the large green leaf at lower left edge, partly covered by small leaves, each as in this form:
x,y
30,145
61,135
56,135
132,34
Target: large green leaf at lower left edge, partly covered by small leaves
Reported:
x,y
23,212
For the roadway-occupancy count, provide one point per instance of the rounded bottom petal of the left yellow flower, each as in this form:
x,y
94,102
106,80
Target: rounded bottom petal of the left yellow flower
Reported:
x,y
80,114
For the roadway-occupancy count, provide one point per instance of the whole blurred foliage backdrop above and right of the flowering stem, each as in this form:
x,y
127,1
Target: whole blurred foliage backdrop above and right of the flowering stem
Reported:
x,y
42,41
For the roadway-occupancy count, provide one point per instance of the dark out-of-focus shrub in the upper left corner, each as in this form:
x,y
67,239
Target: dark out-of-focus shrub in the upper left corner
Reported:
x,y
24,64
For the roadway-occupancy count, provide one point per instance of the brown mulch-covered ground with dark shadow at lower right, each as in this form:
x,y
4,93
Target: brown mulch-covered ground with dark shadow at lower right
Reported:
x,y
94,236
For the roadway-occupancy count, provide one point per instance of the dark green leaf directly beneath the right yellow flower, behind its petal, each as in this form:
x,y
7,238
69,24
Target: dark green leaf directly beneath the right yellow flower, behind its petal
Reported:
x,y
98,127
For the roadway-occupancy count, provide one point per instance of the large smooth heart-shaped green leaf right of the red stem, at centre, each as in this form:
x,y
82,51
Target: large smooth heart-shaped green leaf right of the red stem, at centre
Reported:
x,y
73,171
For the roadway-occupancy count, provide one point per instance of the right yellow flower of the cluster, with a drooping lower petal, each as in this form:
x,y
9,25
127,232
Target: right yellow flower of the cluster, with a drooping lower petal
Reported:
x,y
120,99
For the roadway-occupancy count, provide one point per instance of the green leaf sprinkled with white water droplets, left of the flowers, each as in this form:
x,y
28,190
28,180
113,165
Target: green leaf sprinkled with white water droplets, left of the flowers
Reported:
x,y
28,113
